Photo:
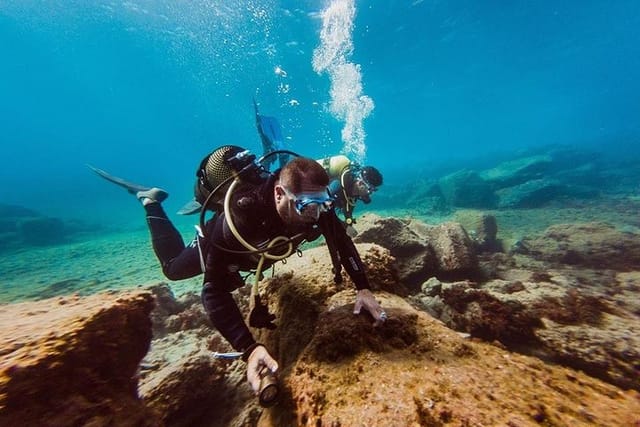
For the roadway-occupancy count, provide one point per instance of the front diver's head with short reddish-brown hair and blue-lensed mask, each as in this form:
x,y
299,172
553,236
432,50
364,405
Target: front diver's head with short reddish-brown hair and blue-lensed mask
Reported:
x,y
301,192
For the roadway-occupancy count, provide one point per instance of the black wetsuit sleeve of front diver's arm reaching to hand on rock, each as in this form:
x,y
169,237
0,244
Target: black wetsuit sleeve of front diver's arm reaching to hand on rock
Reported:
x,y
338,241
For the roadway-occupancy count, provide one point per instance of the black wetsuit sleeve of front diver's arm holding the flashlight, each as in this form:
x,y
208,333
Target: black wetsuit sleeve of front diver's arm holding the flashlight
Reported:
x,y
216,293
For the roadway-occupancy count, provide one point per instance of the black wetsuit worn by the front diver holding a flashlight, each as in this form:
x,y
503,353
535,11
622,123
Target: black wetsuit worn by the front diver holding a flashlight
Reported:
x,y
257,221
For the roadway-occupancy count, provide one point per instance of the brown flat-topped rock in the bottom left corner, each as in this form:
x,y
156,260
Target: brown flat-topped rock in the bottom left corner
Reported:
x,y
73,361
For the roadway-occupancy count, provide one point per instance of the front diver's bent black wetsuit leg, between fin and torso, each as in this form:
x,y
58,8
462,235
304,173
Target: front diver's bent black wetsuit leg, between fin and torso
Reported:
x,y
177,261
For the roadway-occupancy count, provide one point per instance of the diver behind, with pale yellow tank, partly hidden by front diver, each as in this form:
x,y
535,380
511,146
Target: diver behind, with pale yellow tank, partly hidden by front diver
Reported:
x,y
350,182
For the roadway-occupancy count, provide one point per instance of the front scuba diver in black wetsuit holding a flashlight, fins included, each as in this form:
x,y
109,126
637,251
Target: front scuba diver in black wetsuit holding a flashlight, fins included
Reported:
x,y
259,218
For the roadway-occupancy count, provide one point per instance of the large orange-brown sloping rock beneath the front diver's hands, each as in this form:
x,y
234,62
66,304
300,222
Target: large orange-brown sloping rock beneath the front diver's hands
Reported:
x,y
337,370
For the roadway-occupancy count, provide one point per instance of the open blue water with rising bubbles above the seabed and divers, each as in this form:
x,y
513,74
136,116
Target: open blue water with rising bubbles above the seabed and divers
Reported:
x,y
144,89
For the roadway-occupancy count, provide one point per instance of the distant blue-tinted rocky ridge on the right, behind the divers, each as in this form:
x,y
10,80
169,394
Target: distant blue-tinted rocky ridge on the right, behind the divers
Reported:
x,y
532,180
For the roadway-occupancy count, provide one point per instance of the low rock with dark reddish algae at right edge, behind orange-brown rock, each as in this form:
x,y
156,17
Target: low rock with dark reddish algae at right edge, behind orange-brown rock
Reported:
x,y
580,318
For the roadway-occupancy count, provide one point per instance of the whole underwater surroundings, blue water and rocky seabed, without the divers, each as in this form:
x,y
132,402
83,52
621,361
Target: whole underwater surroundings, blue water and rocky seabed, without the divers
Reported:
x,y
503,245
